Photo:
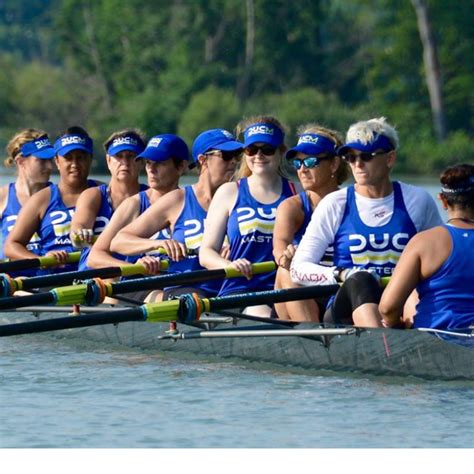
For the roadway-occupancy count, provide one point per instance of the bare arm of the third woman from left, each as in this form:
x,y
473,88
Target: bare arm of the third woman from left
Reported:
x,y
83,220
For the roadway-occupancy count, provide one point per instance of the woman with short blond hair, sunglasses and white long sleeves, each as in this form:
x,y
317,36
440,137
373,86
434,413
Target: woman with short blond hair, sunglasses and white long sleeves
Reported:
x,y
368,225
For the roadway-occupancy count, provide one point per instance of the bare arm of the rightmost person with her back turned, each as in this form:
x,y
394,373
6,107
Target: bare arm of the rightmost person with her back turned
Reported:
x,y
403,281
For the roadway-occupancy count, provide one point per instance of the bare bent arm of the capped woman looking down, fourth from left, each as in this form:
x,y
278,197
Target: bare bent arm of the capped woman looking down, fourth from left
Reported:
x,y
100,254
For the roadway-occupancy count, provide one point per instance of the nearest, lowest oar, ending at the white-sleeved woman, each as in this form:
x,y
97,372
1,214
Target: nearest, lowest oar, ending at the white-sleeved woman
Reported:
x,y
185,309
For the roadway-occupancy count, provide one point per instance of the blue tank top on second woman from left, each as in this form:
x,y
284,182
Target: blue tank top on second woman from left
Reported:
x,y
55,226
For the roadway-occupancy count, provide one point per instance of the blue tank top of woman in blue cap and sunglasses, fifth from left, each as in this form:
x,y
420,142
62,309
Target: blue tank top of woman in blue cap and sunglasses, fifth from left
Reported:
x,y
188,229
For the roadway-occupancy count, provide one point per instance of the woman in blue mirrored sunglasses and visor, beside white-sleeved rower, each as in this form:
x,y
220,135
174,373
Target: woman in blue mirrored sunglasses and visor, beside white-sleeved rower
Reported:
x,y
320,172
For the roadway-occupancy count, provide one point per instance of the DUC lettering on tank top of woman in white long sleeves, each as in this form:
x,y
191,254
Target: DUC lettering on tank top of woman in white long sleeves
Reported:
x,y
379,250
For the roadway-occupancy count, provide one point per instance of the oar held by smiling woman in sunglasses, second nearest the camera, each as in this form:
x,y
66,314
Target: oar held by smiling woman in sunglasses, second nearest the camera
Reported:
x,y
94,291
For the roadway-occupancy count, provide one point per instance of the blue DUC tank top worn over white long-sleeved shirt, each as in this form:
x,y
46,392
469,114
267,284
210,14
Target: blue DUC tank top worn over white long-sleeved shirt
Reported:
x,y
359,245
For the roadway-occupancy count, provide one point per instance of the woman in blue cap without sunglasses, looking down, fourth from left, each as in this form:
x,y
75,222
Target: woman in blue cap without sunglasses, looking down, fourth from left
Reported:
x,y
166,159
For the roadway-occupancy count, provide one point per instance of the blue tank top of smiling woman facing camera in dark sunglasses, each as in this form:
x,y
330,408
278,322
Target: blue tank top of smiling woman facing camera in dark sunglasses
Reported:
x,y
250,233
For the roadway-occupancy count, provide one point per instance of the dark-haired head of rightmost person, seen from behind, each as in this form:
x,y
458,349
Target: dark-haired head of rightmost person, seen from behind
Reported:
x,y
458,186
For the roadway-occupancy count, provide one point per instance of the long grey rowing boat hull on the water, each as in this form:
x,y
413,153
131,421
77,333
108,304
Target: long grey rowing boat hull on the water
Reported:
x,y
426,354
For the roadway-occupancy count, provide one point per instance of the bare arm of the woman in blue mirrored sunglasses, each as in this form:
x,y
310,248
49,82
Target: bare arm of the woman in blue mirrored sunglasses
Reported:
x,y
289,218
